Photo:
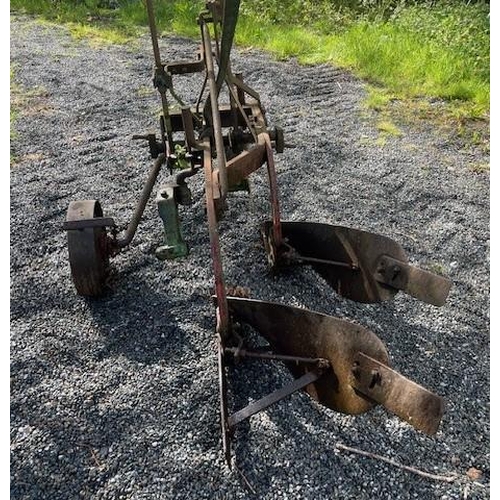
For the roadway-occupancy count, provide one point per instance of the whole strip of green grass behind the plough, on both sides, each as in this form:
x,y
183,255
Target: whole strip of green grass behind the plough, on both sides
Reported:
x,y
424,51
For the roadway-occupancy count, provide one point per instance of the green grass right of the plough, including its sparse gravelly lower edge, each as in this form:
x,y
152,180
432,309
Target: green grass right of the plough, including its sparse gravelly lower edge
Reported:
x,y
423,62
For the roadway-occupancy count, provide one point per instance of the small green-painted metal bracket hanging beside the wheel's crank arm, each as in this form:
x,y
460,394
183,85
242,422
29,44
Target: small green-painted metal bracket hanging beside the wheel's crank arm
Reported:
x,y
174,245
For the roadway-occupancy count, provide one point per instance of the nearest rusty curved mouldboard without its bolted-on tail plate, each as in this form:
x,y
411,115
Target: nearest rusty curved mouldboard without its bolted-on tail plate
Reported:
x,y
298,332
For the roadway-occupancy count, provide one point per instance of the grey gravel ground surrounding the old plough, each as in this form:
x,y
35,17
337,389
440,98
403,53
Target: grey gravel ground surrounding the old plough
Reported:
x,y
118,398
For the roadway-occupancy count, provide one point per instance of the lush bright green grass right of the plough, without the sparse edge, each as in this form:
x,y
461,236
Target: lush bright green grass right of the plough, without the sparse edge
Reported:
x,y
446,63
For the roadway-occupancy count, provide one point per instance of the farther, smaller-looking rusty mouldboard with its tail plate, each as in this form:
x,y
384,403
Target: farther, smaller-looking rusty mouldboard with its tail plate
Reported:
x,y
373,267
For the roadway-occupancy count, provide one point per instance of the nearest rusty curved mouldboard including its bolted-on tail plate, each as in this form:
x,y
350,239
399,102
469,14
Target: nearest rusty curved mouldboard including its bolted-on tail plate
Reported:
x,y
360,375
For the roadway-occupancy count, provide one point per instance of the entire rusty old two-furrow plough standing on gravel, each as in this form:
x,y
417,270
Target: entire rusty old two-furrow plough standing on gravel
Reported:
x,y
338,363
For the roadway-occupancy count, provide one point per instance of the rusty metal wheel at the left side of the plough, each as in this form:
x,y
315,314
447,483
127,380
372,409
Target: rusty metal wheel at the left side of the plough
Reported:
x,y
87,249
